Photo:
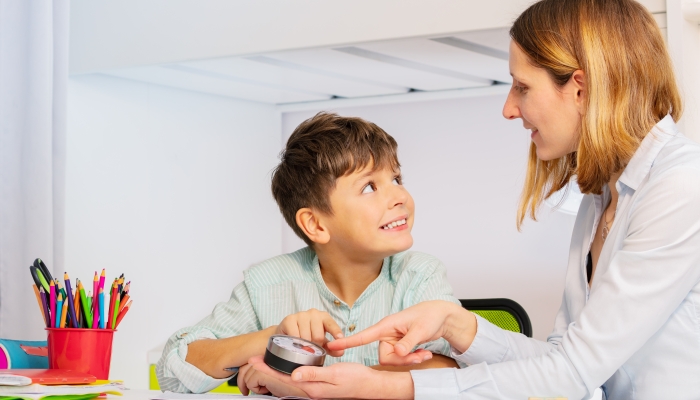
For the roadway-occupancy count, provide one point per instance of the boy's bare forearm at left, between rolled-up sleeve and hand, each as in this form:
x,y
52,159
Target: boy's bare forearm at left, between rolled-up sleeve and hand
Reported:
x,y
212,356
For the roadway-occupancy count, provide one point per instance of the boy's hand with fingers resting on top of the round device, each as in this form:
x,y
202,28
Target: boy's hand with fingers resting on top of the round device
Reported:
x,y
312,325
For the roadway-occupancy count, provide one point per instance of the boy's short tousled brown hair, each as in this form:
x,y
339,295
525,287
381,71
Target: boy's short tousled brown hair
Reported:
x,y
322,149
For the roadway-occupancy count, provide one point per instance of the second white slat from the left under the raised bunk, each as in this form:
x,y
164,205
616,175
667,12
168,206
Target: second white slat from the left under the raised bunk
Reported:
x,y
267,70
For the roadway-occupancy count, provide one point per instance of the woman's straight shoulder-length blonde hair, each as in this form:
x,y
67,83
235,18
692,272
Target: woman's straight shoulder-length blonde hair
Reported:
x,y
629,81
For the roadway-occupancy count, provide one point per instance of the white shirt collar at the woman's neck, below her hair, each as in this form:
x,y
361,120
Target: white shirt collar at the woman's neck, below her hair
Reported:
x,y
644,157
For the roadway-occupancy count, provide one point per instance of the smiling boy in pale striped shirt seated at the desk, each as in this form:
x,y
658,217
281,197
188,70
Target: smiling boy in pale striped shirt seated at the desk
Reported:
x,y
339,188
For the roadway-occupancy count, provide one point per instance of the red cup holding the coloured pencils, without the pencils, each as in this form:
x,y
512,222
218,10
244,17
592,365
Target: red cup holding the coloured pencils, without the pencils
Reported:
x,y
83,350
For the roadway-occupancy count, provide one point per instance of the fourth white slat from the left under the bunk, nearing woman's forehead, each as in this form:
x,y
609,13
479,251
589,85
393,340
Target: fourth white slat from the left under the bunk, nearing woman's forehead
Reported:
x,y
439,55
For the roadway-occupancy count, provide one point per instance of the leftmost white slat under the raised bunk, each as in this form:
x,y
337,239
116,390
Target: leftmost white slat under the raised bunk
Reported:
x,y
182,78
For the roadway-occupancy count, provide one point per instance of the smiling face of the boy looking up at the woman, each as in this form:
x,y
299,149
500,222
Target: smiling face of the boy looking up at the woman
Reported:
x,y
372,214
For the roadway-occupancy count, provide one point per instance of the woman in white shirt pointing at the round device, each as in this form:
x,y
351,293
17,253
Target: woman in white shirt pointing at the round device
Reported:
x,y
594,84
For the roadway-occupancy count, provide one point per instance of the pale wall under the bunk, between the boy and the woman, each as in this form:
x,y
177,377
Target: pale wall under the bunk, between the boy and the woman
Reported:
x,y
464,164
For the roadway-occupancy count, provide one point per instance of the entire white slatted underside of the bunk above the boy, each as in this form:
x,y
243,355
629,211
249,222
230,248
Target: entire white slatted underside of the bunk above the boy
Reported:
x,y
459,61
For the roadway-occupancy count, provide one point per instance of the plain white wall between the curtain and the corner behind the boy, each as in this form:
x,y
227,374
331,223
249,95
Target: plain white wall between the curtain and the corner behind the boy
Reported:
x,y
171,188
